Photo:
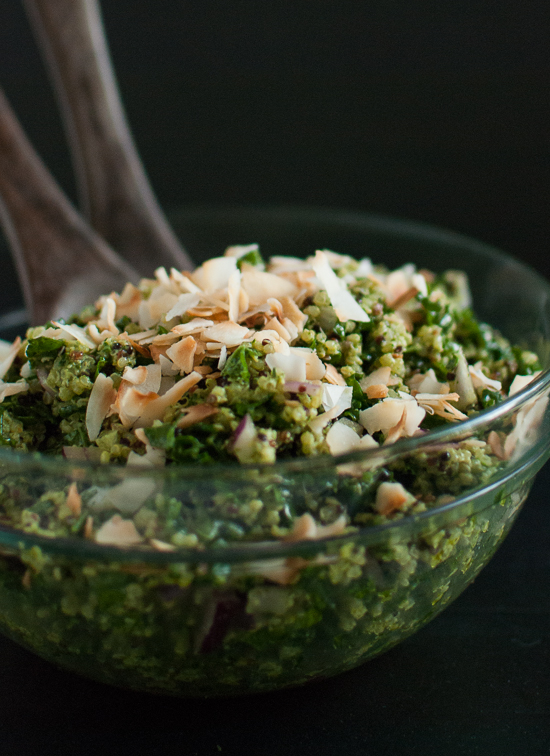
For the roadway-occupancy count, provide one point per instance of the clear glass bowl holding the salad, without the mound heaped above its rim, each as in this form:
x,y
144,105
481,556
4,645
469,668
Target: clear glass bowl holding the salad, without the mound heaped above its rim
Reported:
x,y
243,617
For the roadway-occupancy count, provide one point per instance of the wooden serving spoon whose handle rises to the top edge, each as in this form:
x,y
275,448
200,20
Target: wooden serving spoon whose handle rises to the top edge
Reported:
x,y
115,193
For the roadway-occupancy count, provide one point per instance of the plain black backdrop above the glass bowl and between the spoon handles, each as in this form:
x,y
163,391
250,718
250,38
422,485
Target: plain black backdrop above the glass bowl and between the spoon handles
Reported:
x,y
429,110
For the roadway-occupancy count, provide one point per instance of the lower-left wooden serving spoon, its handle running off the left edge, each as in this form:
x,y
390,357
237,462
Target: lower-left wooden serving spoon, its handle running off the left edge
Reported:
x,y
62,263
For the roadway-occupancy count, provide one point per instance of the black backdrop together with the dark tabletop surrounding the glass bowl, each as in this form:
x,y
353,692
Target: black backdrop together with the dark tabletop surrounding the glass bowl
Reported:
x,y
435,111
